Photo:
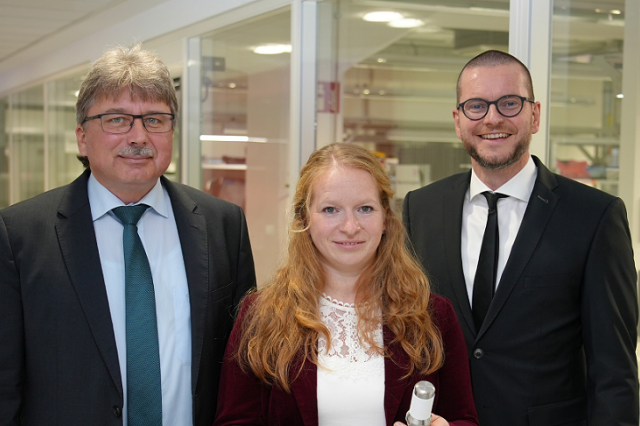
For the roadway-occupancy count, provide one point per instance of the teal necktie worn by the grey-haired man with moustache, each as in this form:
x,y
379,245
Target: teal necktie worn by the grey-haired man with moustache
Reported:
x,y
144,393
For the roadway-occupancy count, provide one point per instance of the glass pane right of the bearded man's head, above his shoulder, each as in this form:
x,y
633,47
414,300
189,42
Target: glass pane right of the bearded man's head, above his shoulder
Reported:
x,y
586,91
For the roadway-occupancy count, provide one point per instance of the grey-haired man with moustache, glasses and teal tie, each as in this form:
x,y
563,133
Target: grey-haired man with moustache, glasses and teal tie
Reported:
x,y
118,291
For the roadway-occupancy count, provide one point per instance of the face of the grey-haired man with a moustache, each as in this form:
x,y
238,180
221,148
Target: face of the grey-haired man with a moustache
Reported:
x,y
127,164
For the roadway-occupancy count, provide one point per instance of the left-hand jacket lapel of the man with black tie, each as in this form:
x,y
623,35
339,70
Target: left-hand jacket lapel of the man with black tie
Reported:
x,y
451,214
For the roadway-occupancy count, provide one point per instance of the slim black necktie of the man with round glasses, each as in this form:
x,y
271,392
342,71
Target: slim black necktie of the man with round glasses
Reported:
x,y
485,281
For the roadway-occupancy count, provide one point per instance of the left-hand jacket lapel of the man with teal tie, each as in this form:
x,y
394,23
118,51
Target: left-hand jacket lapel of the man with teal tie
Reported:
x,y
79,249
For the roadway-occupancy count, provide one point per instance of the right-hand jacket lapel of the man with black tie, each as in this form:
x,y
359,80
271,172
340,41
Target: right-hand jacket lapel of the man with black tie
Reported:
x,y
539,210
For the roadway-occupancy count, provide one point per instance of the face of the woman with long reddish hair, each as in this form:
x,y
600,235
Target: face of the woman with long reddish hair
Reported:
x,y
346,220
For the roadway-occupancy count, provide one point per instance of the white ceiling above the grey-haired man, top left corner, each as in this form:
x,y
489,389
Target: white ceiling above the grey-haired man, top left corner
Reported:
x,y
39,35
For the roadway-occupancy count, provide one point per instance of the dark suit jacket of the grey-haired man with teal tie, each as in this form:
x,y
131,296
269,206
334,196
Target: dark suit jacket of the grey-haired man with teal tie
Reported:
x,y
58,357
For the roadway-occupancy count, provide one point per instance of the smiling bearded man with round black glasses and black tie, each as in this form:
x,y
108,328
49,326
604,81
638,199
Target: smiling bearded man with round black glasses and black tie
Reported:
x,y
539,268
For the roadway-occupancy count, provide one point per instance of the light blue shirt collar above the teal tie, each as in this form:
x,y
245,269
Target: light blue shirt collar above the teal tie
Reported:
x,y
102,201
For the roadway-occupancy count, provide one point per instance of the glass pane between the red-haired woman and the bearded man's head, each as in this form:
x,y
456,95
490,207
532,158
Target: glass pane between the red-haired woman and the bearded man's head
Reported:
x,y
394,78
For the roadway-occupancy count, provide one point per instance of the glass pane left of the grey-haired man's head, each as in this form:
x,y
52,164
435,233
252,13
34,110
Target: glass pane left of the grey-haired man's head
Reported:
x,y
37,139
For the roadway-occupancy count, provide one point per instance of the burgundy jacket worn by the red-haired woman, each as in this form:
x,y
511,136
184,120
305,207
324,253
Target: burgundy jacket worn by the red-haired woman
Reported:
x,y
243,400
